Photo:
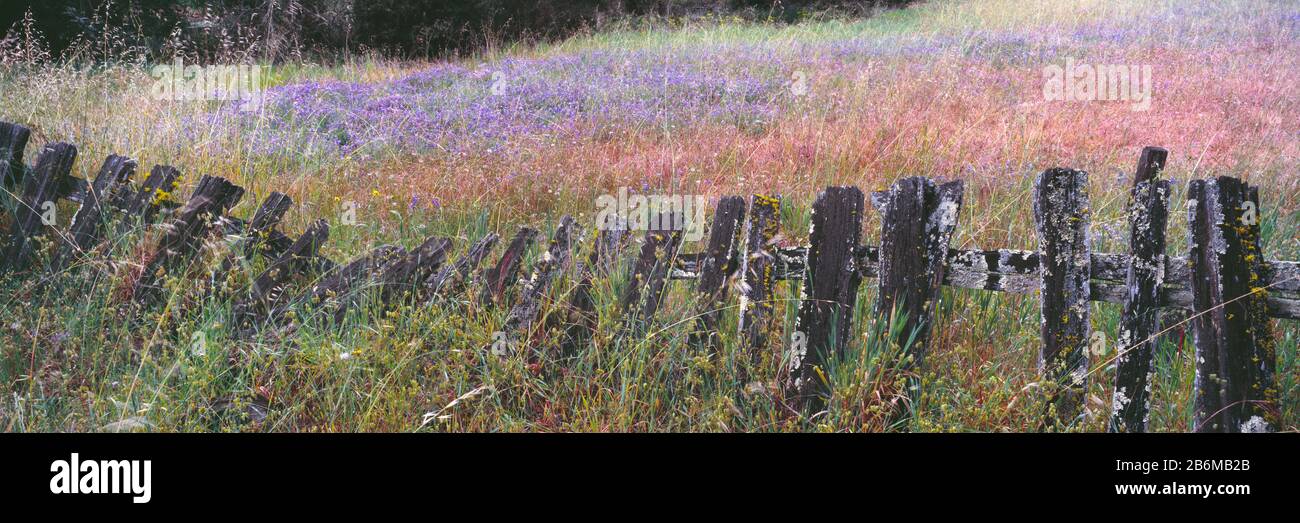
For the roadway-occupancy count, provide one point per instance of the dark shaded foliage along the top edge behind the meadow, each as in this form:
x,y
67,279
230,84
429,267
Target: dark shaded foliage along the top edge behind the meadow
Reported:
x,y
326,29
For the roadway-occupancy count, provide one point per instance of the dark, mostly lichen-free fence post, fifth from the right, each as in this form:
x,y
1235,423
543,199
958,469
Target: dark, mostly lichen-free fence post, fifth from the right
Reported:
x,y
829,296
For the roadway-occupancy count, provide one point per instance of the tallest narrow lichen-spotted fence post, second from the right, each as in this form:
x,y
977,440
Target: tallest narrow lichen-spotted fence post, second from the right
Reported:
x,y
1149,214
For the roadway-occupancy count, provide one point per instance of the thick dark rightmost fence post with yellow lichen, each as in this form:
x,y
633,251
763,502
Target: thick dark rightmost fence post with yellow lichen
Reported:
x,y
1236,360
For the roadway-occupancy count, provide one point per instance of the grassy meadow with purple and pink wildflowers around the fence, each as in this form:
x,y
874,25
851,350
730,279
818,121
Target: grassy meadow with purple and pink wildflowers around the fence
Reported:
x,y
523,135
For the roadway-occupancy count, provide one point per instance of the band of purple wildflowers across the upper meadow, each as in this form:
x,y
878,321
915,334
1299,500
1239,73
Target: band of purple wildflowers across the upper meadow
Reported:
x,y
522,103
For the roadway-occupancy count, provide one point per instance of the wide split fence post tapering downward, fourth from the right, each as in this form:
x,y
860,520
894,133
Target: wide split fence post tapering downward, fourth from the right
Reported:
x,y
916,230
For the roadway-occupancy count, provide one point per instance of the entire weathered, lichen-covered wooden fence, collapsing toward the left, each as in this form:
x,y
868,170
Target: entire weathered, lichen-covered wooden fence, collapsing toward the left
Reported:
x,y
1225,284
